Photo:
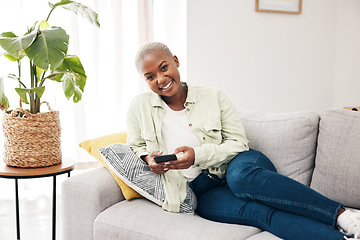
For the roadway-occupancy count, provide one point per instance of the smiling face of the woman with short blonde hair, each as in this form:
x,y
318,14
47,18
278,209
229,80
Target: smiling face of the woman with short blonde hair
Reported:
x,y
161,72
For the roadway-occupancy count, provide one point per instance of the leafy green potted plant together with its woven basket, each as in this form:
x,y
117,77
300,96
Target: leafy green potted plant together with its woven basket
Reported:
x,y
46,48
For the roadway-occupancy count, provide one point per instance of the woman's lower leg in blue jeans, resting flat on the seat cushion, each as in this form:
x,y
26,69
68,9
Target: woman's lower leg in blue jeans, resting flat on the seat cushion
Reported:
x,y
221,205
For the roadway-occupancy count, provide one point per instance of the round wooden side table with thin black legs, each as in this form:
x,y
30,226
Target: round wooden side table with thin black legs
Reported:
x,y
22,173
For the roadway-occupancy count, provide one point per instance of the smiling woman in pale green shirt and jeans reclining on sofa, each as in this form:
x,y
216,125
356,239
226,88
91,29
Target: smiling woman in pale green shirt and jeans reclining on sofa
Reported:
x,y
232,183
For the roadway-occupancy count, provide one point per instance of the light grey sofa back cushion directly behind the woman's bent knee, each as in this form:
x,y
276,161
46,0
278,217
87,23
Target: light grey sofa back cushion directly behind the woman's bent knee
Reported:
x,y
287,139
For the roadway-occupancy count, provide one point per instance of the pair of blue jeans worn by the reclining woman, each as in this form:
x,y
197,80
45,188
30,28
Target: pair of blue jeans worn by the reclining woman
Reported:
x,y
254,194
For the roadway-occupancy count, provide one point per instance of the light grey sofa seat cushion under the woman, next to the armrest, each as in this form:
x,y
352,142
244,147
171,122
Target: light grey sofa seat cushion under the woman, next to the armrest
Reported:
x,y
141,219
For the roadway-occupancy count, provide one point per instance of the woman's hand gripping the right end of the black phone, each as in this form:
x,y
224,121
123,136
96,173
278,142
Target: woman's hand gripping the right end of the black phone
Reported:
x,y
185,161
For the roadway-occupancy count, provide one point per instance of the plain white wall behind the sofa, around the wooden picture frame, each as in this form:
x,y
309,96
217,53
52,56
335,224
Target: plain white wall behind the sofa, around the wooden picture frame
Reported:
x,y
276,62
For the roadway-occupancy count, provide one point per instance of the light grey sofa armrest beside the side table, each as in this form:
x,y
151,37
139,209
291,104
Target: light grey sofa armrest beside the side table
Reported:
x,y
84,197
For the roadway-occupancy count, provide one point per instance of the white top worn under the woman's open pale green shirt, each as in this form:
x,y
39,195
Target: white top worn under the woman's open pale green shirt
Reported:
x,y
176,132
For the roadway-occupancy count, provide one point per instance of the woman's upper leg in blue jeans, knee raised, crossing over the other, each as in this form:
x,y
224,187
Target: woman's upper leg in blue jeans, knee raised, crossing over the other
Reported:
x,y
251,175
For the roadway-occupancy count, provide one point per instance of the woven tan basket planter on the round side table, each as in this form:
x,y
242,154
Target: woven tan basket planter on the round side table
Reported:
x,y
31,140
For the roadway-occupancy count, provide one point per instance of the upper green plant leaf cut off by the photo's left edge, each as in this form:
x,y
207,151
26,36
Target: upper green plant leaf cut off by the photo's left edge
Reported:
x,y
12,43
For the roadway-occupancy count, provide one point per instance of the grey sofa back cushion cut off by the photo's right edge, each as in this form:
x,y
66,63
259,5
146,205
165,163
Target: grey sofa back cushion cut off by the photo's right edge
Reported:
x,y
337,170
